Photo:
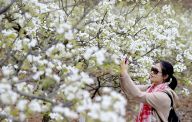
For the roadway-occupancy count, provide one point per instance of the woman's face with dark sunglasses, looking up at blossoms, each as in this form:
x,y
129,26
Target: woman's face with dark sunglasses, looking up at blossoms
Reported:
x,y
156,75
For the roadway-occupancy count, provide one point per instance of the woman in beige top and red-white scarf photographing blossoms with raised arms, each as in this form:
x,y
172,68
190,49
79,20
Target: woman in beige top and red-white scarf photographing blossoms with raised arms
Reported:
x,y
155,103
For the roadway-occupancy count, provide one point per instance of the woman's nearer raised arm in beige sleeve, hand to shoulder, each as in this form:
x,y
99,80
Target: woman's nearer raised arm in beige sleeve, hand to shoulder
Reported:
x,y
129,87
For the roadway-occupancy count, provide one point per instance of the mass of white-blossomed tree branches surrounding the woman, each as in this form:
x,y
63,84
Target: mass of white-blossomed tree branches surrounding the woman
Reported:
x,y
61,58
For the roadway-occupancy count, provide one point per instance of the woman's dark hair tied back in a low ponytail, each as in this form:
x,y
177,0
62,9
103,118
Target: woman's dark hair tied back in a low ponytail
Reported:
x,y
167,69
